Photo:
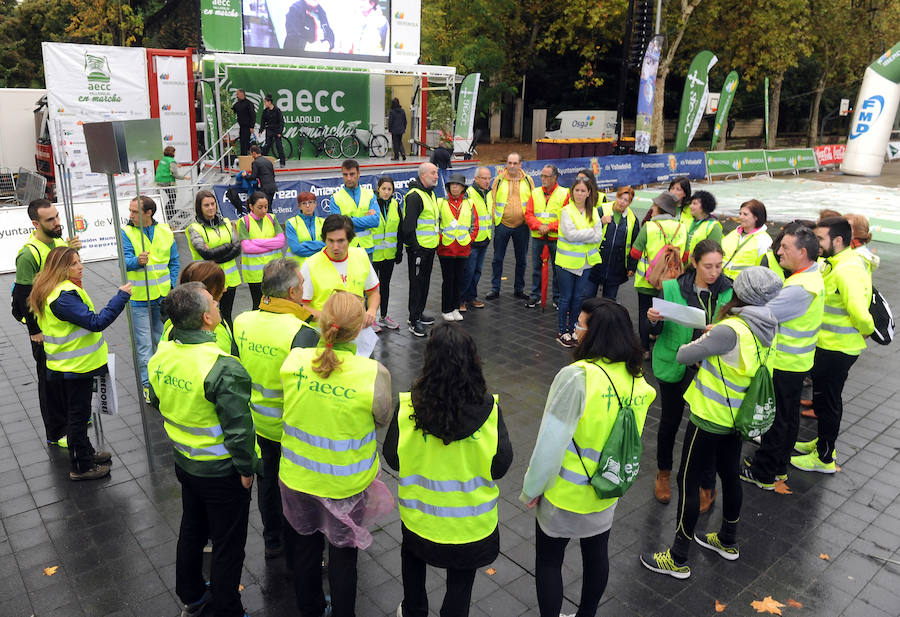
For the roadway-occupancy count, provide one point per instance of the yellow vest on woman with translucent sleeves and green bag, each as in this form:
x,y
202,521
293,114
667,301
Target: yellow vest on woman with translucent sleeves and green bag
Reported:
x,y
572,490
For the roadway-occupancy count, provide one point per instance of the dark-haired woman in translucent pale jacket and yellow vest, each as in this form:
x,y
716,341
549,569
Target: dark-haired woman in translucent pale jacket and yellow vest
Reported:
x,y
581,408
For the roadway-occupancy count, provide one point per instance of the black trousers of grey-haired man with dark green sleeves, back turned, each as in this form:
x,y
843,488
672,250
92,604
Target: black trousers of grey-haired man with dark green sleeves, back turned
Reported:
x,y
218,509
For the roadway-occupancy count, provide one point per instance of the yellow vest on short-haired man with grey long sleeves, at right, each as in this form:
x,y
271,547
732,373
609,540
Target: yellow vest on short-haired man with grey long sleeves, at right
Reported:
x,y
795,341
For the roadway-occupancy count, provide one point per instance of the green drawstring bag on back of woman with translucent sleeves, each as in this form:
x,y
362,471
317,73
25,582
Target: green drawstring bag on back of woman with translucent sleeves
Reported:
x,y
620,458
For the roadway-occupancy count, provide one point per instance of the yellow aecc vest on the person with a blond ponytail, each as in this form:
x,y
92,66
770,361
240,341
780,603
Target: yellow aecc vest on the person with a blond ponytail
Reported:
x,y
332,452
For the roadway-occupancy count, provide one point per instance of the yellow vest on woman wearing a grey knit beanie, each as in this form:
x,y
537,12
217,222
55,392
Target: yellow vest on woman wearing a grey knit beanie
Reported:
x,y
707,393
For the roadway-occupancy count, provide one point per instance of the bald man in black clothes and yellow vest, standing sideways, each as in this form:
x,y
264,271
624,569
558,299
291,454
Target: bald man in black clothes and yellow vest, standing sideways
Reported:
x,y
420,233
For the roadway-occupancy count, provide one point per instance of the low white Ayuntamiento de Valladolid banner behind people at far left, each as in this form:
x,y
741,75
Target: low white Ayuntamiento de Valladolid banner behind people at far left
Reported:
x,y
93,224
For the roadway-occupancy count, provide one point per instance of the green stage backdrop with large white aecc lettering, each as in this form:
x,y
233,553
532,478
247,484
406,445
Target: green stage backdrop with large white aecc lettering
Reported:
x,y
315,104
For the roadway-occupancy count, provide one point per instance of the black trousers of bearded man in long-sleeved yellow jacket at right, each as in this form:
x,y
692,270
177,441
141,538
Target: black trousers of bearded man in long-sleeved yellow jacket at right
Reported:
x,y
830,370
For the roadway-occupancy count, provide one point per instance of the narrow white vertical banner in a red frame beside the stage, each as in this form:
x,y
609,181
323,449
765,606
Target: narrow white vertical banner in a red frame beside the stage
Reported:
x,y
174,100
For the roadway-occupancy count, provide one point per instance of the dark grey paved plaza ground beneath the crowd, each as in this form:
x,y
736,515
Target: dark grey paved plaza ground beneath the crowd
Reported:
x,y
832,545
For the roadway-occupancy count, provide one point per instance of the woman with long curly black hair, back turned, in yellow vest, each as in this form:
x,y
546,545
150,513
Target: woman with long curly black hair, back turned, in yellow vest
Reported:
x,y
449,444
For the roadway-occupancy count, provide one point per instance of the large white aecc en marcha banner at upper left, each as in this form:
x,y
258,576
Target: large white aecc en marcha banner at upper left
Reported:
x,y
93,83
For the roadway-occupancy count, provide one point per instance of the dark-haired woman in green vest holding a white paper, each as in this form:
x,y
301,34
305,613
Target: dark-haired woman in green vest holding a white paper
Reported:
x,y
702,287
